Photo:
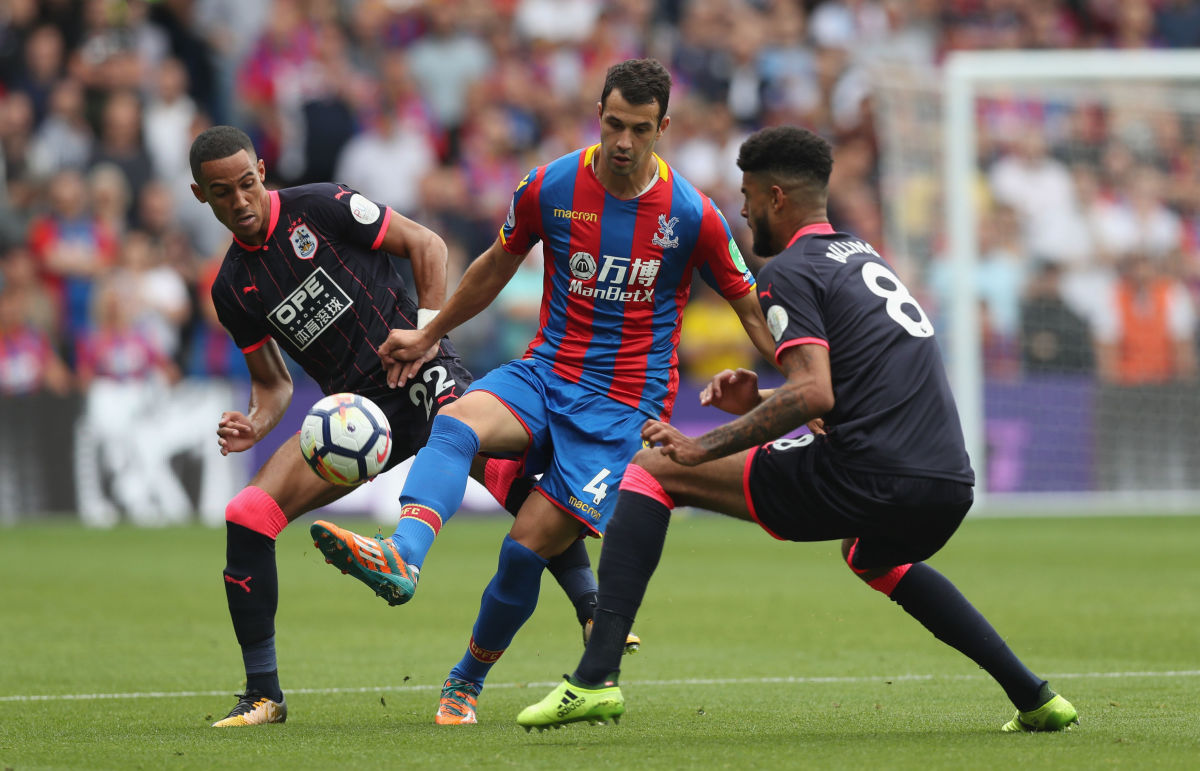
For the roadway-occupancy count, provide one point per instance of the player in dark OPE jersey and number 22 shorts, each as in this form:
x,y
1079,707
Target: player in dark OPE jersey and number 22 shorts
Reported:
x,y
309,274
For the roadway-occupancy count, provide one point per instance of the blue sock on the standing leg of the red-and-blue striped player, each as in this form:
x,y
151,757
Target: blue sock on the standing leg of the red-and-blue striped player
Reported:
x,y
508,603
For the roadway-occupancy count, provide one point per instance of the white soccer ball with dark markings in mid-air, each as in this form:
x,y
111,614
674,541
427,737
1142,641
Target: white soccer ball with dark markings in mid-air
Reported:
x,y
346,439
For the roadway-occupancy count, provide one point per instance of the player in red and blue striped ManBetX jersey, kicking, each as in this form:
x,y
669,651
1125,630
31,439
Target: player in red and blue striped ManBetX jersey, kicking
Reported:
x,y
622,236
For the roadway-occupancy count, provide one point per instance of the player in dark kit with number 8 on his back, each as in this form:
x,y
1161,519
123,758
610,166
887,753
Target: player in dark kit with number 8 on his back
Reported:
x,y
885,468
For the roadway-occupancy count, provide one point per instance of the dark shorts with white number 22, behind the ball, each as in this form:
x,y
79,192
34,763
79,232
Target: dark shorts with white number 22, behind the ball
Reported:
x,y
411,410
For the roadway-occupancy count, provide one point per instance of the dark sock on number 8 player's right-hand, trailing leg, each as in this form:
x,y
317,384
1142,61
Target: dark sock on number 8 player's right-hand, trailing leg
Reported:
x,y
937,603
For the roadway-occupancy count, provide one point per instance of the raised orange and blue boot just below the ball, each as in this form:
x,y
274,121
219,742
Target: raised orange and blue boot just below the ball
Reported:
x,y
374,561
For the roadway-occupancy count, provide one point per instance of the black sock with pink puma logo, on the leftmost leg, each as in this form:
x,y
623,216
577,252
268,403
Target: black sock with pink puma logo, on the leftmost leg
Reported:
x,y
253,591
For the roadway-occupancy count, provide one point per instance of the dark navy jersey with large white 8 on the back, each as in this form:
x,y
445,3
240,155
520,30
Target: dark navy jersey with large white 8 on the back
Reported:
x,y
893,411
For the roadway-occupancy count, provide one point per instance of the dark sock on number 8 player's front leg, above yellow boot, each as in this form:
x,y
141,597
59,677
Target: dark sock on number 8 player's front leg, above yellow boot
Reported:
x,y
633,546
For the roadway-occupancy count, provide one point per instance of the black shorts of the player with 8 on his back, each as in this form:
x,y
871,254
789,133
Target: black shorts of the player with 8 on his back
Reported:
x,y
797,492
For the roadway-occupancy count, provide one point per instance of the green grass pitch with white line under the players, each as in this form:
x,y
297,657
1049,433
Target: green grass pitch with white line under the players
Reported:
x,y
1089,603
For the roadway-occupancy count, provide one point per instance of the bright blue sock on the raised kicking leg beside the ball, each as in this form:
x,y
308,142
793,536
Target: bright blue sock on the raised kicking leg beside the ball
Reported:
x,y
435,487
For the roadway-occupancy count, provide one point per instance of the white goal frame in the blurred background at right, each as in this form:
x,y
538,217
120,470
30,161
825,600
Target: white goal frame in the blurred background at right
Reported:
x,y
952,95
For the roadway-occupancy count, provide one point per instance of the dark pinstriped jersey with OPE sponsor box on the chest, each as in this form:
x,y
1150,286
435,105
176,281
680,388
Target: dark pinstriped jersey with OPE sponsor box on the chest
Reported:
x,y
320,286
